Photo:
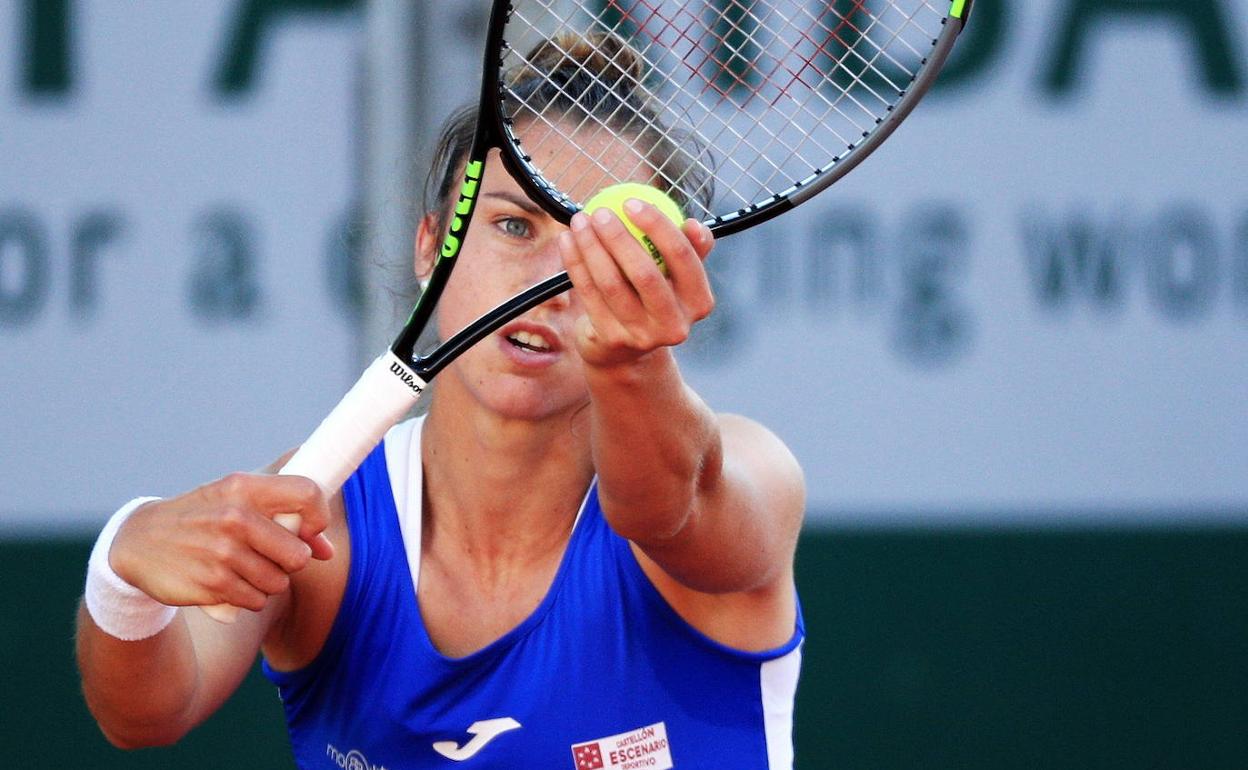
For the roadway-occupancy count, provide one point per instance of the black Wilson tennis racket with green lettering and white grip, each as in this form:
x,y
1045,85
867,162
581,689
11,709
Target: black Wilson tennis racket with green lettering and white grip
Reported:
x,y
739,109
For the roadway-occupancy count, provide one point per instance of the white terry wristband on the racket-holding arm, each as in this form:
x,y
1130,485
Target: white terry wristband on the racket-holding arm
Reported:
x,y
119,608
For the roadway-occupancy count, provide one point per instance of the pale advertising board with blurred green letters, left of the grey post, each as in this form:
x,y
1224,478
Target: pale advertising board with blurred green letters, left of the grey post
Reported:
x,y
175,180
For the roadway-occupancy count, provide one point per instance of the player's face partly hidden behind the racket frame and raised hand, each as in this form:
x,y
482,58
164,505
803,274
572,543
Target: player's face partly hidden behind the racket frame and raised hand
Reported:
x,y
530,369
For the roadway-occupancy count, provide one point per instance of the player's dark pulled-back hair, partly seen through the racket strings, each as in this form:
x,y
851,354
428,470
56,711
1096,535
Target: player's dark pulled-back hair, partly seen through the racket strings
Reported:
x,y
598,77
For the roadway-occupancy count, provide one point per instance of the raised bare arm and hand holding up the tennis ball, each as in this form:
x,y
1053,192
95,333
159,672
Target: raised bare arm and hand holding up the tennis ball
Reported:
x,y
714,502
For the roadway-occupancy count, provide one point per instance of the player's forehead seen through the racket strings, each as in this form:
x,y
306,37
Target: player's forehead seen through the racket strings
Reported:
x,y
581,162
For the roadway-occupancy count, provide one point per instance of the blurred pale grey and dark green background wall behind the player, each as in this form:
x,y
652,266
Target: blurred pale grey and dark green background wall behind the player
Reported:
x,y
1012,353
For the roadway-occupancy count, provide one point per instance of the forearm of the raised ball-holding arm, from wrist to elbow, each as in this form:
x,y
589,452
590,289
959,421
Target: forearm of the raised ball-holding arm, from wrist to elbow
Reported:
x,y
657,446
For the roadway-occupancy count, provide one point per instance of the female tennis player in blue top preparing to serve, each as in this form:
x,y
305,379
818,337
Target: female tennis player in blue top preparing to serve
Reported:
x,y
570,562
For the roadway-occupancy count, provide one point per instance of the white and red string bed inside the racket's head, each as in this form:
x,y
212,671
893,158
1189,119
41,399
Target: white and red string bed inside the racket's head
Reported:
x,y
748,98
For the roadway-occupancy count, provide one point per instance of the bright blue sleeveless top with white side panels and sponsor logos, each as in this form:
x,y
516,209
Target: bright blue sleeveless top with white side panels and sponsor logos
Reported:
x,y
605,675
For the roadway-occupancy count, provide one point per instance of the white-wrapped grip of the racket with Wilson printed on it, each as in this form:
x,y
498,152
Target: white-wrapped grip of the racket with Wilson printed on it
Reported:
x,y
380,399
